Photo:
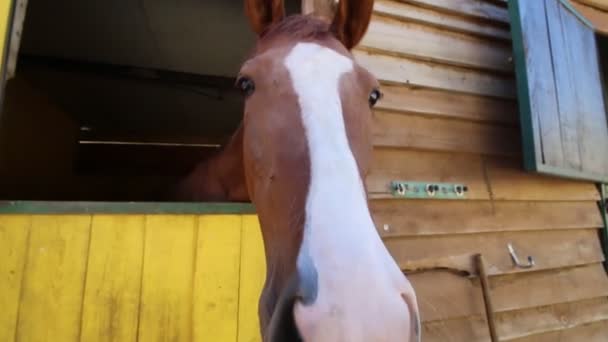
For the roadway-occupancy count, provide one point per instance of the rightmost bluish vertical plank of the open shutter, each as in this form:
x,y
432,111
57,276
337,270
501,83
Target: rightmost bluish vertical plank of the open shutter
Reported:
x,y
592,120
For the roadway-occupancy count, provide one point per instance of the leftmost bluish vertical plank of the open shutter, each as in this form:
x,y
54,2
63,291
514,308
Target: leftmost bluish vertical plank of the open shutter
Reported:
x,y
536,86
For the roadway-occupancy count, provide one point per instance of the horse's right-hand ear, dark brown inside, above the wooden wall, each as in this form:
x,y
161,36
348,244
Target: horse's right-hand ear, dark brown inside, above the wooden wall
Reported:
x,y
351,21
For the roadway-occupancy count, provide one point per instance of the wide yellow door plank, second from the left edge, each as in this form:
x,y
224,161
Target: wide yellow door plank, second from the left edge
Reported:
x,y
54,279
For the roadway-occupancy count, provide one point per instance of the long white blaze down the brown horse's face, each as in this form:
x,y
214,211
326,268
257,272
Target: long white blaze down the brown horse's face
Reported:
x,y
359,284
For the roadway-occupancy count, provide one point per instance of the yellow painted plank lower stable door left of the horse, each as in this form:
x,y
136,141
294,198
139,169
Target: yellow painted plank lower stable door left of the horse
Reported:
x,y
130,277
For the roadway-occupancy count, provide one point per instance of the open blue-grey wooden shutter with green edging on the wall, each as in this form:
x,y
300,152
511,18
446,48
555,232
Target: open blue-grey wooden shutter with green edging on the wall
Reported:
x,y
563,115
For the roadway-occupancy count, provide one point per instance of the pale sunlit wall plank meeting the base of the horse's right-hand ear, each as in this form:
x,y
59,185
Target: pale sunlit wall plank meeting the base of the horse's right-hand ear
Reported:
x,y
422,42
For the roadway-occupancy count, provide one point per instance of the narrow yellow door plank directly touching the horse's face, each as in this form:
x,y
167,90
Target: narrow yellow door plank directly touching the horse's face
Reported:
x,y
253,275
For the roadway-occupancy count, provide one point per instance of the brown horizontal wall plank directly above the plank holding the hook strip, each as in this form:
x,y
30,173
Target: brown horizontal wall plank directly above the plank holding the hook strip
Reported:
x,y
397,130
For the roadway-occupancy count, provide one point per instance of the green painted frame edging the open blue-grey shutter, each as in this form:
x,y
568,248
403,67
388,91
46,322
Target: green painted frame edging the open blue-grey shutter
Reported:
x,y
530,158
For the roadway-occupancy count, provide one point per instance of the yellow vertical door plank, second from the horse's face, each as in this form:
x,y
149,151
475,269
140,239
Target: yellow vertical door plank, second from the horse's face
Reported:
x,y
216,282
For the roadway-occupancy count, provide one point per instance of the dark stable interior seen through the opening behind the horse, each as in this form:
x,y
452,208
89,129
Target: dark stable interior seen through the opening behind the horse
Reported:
x,y
116,100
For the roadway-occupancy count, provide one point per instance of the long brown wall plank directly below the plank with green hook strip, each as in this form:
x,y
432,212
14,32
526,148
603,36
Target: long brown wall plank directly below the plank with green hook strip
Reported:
x,y
428,217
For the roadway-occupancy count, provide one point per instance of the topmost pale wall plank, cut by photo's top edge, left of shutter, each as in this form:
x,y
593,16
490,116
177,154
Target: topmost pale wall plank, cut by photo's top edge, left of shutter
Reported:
x,y
476,9
